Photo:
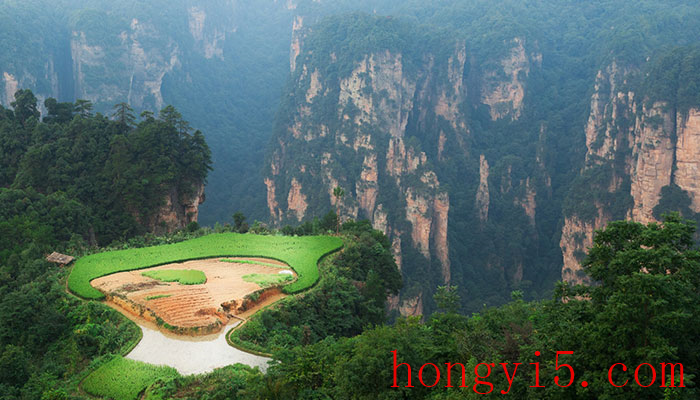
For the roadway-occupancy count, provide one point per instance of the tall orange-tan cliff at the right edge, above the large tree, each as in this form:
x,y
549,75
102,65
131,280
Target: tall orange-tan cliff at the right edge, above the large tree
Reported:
x,y
638,147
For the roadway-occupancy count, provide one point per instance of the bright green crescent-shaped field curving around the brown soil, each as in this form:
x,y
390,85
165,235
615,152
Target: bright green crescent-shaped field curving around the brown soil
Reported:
x,y
301,253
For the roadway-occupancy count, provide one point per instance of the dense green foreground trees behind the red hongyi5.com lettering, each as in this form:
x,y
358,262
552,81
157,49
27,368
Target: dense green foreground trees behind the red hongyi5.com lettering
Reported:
x,y
641,310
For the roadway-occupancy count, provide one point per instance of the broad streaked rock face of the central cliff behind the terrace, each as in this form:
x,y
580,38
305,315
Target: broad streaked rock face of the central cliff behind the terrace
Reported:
x,y
363,148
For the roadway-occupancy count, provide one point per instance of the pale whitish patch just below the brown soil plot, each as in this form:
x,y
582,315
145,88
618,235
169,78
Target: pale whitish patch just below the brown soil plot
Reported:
x,y
192,355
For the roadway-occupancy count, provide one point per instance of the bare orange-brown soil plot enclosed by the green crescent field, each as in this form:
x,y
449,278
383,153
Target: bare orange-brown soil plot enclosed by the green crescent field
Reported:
x,y
192,309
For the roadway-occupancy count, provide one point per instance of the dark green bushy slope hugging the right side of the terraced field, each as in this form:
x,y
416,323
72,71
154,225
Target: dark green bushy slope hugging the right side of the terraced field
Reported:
x,y
350,296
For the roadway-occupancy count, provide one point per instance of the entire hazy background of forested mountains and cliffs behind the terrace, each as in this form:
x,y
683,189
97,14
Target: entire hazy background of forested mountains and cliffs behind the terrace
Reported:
x,y
488,139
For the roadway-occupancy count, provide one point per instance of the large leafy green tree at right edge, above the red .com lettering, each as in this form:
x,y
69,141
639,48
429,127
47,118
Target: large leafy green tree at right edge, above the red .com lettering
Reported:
x,y
646,297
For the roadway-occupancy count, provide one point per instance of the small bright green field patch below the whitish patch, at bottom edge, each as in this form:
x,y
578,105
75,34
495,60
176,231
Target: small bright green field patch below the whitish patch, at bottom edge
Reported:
x,y
124,379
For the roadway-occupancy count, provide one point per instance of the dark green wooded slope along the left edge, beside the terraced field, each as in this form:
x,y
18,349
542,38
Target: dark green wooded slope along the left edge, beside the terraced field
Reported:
x,y
57,194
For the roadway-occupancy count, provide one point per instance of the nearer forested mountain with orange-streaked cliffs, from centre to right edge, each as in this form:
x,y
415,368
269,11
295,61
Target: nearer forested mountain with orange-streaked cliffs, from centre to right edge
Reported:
x,y
490,139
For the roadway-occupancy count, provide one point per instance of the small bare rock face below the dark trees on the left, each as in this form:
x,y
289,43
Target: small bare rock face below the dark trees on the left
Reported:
x,y
177,212
